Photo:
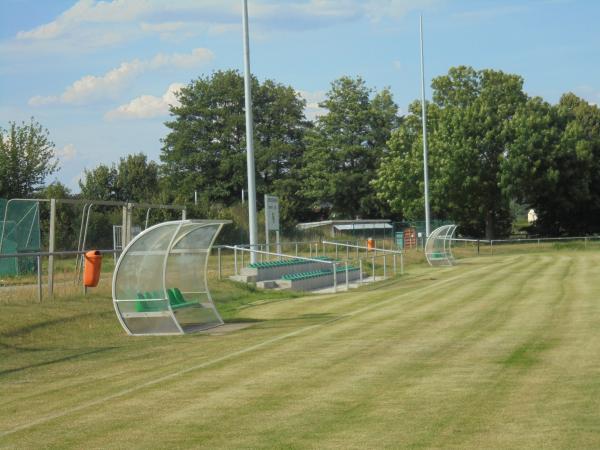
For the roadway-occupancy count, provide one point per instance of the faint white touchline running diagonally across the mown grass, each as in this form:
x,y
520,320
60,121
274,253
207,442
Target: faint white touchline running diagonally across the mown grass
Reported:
x,y
232,355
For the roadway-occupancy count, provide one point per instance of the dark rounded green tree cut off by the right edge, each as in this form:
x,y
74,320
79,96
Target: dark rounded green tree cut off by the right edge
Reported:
x,y
553,164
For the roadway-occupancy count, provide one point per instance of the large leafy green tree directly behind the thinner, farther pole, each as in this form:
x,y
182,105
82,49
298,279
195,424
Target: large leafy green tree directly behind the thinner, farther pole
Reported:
x,y
471,114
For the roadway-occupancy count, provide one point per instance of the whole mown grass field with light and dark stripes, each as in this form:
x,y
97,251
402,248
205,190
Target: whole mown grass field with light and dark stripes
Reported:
x,y
498,352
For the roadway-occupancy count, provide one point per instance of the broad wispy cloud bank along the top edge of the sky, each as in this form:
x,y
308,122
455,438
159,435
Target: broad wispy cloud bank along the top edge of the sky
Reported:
x,y
90,24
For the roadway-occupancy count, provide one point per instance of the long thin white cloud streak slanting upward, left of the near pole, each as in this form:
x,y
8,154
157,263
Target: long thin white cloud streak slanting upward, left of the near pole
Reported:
x,y
92,88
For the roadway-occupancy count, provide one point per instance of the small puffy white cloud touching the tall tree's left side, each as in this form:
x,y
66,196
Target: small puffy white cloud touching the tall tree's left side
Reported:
x,y
147,106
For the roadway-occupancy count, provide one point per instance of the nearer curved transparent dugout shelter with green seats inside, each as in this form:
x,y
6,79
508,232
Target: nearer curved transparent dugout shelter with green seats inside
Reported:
x,y
159,284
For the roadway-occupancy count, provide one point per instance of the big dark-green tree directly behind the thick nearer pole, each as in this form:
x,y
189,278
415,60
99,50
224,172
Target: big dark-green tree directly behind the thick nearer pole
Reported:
x,y
205,150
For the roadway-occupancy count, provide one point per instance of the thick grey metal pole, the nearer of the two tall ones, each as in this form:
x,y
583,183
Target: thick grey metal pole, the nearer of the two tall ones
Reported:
x,y
252,221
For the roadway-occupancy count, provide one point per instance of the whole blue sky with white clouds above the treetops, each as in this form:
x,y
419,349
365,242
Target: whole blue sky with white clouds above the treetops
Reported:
x,y
100,75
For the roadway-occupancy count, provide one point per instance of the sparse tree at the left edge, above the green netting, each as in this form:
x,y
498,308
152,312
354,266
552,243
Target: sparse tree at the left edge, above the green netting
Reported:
x,y
26,159
